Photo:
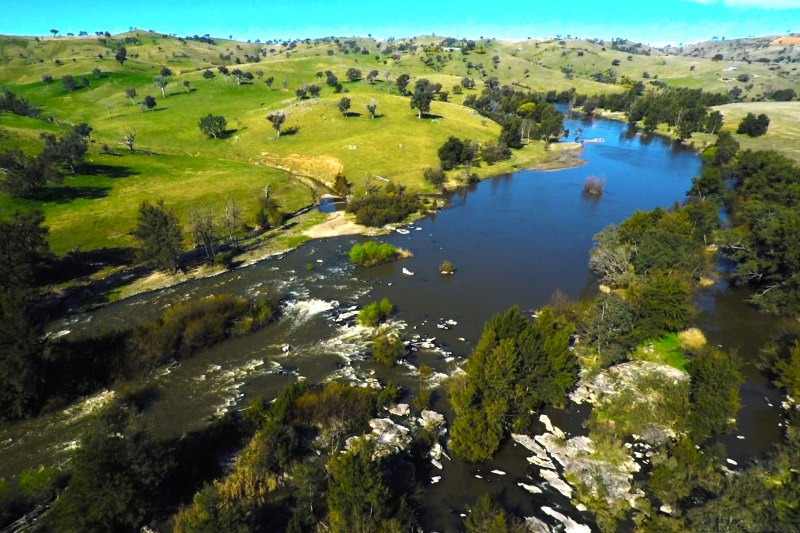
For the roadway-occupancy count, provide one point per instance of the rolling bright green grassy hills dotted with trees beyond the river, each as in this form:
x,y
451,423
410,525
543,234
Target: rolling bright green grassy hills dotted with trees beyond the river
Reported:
x,y
173,160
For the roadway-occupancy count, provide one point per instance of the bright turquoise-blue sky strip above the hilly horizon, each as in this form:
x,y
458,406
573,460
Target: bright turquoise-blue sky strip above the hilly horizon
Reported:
x,y
653,21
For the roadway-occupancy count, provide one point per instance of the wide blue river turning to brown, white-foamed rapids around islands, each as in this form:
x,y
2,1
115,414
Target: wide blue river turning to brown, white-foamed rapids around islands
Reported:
x,y
514,239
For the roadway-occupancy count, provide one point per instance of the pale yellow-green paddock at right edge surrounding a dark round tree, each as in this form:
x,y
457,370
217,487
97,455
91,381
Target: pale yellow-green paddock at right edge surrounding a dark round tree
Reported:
x,y
783,134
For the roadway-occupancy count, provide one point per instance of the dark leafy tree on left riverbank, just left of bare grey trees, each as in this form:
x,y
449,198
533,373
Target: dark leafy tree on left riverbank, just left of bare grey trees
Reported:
x,y
159,232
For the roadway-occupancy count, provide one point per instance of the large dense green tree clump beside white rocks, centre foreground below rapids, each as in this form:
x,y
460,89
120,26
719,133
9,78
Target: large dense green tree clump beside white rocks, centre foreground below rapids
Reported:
x,y
516,367
